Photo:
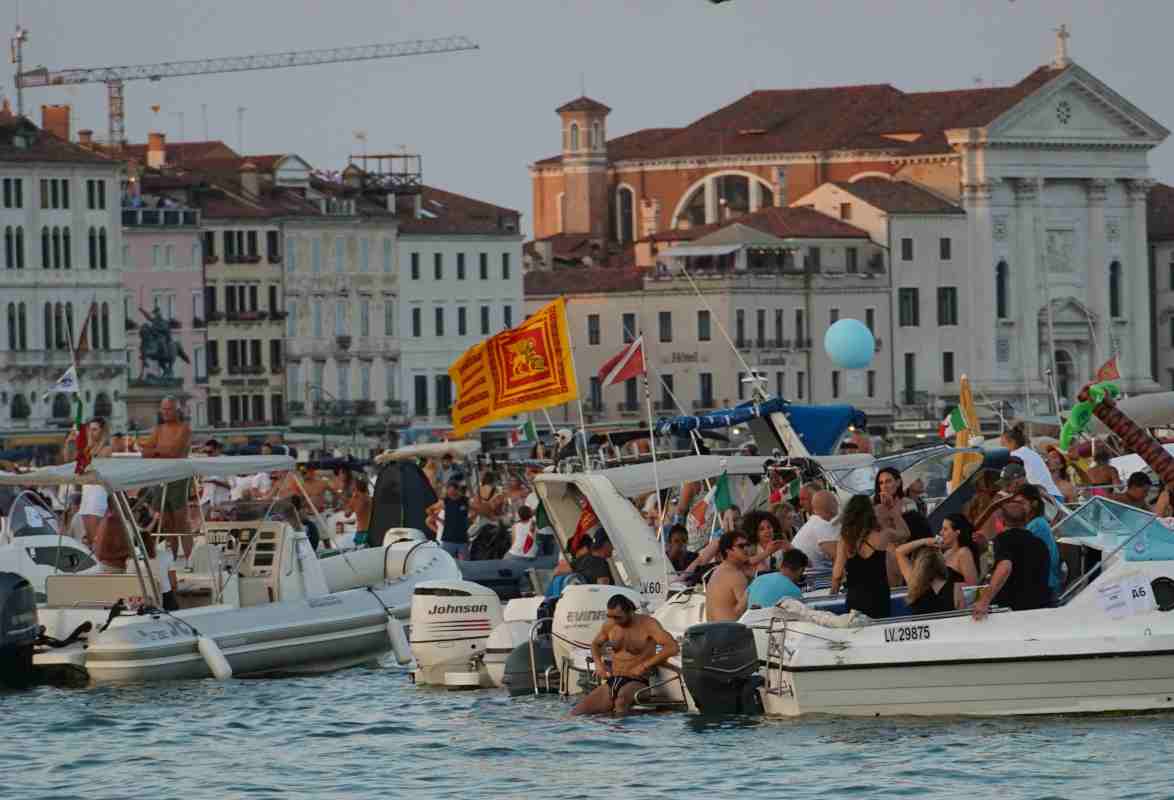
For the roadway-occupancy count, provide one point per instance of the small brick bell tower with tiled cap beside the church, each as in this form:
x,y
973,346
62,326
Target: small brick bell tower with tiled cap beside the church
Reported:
x,y
585,207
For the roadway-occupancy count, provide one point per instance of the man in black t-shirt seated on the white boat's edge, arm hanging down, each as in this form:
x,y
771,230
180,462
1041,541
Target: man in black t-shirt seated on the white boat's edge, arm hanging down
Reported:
x,y
1020,580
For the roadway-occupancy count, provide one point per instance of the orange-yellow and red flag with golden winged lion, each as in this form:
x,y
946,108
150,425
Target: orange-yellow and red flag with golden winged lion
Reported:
x,y
522,369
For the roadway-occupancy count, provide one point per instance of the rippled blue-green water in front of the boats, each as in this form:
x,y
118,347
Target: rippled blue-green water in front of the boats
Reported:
x,y
370,734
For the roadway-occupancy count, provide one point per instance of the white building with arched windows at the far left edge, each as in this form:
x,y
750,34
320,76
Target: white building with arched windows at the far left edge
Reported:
x,y
63,259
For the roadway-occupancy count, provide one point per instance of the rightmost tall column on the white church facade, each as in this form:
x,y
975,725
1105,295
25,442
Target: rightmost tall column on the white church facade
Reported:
x,y
1136,279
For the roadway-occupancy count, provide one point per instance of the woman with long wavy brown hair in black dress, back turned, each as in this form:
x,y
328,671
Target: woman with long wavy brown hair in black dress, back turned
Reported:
x,y
862,560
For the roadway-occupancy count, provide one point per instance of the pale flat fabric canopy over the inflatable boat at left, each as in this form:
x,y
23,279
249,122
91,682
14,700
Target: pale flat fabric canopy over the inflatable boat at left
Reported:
x,y
126,474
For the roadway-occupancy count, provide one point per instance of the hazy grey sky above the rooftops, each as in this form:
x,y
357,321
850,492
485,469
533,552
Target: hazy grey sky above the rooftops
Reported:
x,y
481,118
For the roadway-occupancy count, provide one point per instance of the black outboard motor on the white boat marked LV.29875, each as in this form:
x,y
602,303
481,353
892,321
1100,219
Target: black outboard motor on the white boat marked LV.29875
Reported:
x,y
720,667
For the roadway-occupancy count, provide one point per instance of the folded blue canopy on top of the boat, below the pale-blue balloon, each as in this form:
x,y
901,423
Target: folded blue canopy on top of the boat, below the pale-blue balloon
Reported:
x,y
820,427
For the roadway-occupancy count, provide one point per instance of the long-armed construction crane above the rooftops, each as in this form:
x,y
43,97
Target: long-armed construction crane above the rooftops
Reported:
x,y
116,77
